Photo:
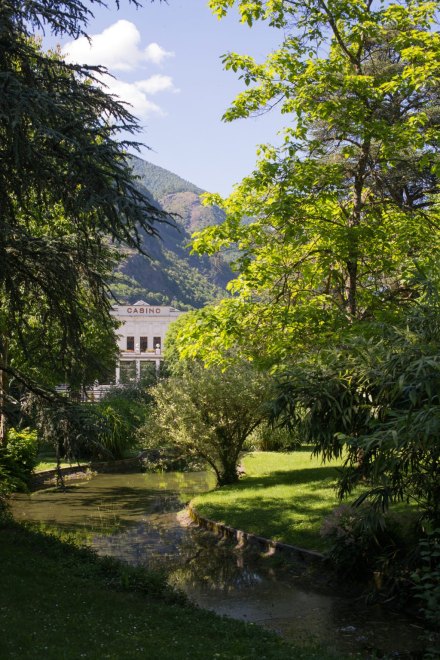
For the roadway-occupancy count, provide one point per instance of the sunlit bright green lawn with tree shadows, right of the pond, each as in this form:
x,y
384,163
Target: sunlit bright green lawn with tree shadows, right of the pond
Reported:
x,y
283,496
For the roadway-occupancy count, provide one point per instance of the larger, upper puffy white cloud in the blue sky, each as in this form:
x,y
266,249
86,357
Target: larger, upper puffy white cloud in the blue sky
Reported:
x,y
117,48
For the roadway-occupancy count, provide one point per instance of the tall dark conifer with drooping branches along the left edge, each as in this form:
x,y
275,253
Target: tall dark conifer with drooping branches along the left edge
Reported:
x,y
67,199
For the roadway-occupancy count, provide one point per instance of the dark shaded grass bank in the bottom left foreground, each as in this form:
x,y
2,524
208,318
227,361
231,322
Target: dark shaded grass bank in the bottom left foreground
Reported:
x,y
63,603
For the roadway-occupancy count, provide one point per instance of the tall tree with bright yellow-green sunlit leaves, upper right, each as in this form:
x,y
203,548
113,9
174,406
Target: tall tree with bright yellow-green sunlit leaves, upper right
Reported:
x,y
338,217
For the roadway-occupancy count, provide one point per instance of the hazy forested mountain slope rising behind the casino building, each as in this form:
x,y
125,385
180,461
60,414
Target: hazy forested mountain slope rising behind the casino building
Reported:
x,y
170,275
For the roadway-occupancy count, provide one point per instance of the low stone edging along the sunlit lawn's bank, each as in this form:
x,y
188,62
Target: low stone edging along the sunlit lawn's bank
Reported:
x,y
243,538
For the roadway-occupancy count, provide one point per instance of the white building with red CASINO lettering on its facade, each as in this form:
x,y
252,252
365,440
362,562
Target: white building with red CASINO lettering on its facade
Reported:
x,y
141,337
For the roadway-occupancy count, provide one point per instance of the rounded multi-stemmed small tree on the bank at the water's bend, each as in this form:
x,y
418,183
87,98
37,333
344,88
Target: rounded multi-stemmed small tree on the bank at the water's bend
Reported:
x,y
209,414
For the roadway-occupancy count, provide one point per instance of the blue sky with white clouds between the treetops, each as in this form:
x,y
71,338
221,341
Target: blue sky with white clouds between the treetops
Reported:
x,y
166,59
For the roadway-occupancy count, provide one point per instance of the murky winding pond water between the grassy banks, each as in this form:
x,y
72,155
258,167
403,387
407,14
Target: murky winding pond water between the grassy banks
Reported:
x,y
139,518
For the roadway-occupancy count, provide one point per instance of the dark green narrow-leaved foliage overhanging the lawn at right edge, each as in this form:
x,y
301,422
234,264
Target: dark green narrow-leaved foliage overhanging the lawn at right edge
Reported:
x,y
375,401
